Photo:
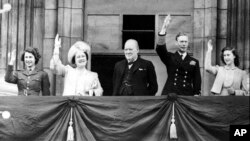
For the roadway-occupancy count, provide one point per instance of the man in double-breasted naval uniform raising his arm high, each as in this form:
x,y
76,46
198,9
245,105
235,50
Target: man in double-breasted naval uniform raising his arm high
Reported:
x,y
184,76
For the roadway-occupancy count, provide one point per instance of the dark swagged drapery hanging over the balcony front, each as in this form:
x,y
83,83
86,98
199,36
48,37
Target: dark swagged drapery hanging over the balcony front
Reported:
x,y
121,118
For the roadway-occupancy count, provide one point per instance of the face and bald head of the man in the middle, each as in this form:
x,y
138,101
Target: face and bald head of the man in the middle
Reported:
x,y
131,50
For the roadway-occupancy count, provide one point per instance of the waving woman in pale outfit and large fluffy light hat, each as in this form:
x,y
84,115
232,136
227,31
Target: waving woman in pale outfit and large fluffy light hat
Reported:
x,y
78,81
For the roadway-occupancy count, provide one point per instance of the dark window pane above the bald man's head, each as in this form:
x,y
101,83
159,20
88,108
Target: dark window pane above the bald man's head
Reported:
x,y
140,28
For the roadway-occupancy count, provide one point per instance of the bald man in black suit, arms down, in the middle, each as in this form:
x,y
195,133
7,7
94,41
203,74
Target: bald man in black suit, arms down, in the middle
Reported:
x,y
134,76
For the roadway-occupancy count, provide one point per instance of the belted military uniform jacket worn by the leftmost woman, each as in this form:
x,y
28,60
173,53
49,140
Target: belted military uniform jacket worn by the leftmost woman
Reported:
x,y
29,84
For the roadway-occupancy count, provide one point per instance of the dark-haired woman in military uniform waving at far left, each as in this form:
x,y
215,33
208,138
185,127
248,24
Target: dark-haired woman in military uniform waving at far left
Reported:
x,y
31,80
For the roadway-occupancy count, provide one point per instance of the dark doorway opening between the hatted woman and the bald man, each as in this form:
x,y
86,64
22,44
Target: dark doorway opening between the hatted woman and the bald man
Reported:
x,y
104,66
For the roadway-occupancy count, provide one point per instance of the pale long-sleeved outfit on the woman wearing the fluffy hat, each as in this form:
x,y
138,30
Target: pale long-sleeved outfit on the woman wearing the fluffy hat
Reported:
x,y
77,82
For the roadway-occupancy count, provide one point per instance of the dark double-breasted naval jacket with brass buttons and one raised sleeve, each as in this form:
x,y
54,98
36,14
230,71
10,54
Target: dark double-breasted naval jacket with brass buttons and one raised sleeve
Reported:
x,y
184,76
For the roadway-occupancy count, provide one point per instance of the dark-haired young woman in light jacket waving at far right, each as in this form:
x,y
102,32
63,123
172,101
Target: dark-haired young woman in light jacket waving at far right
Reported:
x,y
229,77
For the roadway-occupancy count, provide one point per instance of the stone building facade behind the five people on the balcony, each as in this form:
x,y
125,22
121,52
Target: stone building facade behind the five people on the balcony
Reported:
x,y
106,24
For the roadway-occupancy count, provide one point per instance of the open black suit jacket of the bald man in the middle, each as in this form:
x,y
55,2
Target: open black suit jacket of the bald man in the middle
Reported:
x,y
143,77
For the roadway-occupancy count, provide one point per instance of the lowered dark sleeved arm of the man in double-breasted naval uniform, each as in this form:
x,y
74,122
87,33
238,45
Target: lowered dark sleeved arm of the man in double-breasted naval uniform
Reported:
x,y
197,79
